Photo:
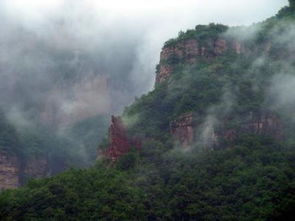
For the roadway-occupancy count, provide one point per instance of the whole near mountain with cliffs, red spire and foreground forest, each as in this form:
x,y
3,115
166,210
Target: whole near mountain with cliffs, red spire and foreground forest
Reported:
x,y
213,140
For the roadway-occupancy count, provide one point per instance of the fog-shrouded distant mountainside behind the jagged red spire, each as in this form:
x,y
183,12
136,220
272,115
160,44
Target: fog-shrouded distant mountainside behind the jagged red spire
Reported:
x,y
58,88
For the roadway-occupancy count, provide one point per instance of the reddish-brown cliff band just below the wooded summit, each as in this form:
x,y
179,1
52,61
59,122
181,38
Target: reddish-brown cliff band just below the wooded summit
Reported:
x,y
190,51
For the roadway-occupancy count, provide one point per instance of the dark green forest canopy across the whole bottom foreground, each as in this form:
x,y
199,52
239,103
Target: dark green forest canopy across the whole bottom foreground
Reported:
x,y
254,180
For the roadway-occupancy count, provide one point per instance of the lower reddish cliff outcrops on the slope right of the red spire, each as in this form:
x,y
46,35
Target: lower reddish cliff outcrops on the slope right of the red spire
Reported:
x,y
184,128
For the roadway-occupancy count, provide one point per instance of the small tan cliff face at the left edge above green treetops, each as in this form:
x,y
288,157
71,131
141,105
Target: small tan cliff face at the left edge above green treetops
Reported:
x,y
9,172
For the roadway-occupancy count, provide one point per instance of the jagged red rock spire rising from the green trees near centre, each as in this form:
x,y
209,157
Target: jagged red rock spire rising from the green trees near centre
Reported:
x,y
120,143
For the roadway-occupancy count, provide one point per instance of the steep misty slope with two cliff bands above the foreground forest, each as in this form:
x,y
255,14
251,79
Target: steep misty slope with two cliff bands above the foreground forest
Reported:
x,y
214,83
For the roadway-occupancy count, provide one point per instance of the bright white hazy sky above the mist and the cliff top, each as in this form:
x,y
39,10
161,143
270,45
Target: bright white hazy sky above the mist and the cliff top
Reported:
x,y
150,22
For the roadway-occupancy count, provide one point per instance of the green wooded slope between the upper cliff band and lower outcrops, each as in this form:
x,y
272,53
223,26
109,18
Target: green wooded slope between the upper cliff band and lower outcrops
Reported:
x,y
226,82
